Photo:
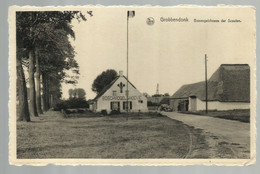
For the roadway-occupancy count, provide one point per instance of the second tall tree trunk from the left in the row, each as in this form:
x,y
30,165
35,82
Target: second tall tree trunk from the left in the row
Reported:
x,y
32,103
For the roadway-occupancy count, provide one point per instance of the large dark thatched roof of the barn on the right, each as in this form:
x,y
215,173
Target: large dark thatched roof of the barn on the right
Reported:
x,y
231,82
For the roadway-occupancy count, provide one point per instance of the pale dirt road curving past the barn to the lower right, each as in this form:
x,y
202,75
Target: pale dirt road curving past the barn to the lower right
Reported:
x,y
231,135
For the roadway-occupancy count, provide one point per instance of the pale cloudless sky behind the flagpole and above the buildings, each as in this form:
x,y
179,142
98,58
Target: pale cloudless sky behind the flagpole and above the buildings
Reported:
x,y
170,54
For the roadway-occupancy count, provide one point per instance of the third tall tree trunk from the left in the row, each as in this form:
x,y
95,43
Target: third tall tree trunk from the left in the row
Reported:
x,y
38,84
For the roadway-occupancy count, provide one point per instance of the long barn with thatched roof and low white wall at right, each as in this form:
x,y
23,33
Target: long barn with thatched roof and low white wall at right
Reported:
x,y
228,89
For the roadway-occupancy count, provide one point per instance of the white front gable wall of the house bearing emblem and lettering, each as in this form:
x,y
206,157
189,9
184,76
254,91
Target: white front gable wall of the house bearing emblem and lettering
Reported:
x,y
134,95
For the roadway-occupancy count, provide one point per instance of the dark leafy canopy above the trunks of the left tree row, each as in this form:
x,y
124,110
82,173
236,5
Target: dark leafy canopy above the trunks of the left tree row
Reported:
x,y
49,33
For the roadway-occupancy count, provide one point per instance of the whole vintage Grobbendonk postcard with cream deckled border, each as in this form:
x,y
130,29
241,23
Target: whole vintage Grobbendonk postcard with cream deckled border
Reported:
x,y
132,85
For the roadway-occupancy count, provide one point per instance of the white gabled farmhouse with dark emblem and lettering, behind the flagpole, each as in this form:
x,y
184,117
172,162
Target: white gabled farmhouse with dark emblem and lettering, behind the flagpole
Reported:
x,y
114,97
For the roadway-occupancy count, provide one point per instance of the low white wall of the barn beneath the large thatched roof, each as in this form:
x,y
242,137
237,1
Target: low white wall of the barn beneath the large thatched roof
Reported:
x,y
216,105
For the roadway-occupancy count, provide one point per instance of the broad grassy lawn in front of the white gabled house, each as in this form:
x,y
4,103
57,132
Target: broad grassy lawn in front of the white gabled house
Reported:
x,y
90,136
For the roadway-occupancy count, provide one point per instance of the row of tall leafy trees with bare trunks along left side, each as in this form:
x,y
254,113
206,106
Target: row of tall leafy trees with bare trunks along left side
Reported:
x,y
44,49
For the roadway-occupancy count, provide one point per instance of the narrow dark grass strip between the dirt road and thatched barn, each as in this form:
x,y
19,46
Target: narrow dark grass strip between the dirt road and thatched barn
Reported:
x,y
242,115
